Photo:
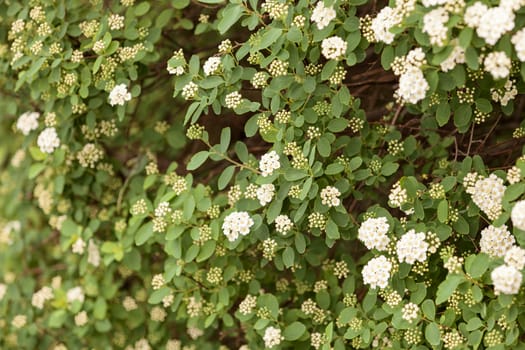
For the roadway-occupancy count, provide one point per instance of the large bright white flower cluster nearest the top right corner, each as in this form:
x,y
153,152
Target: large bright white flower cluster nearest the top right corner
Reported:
x,y
494,23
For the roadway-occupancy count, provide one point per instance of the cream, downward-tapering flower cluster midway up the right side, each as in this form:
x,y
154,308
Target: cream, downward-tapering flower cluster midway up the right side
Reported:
x,y
487,194
